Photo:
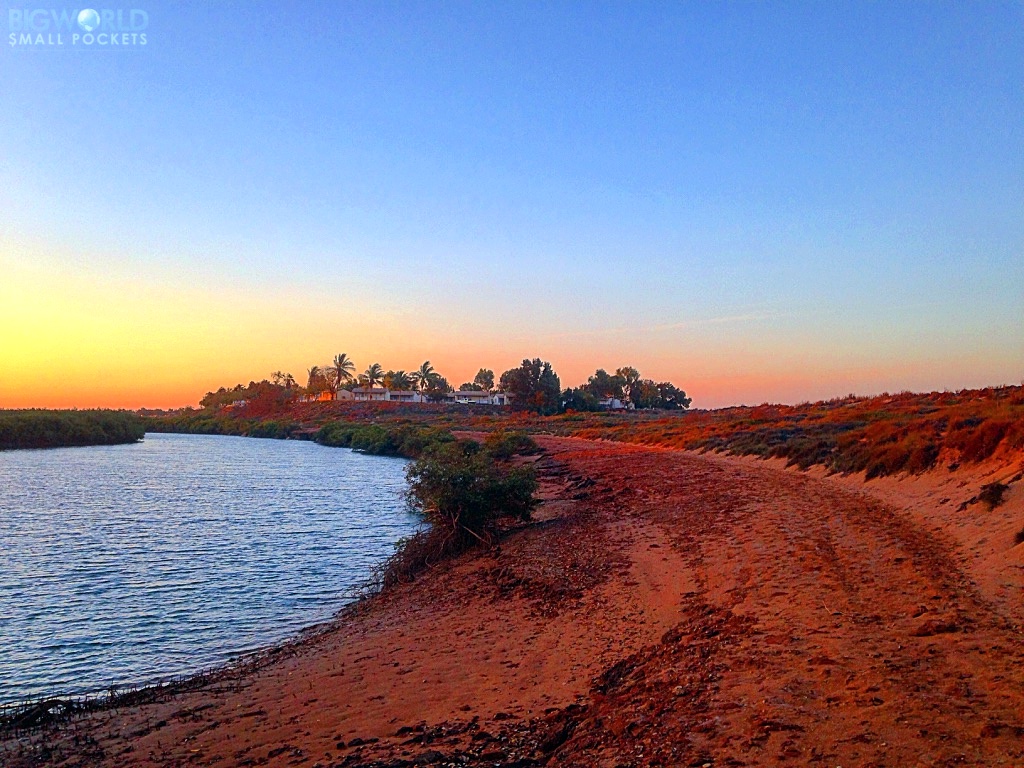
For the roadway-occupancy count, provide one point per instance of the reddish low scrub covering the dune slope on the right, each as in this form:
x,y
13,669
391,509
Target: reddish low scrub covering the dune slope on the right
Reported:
x,y
882,436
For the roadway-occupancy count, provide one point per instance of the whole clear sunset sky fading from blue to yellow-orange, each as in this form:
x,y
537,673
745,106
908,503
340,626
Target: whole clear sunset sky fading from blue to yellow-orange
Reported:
x,y
759,202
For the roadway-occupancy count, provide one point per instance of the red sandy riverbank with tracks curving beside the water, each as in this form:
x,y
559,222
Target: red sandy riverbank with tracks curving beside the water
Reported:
x,y
666,609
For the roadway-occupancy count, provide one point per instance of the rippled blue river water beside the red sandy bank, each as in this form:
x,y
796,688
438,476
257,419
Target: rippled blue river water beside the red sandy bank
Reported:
x,y
133,564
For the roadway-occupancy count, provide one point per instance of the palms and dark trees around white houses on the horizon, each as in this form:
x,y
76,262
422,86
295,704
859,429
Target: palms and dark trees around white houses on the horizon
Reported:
x,y
533,386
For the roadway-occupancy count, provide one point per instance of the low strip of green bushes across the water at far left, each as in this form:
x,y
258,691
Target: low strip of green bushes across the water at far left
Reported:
x,y
42,430
